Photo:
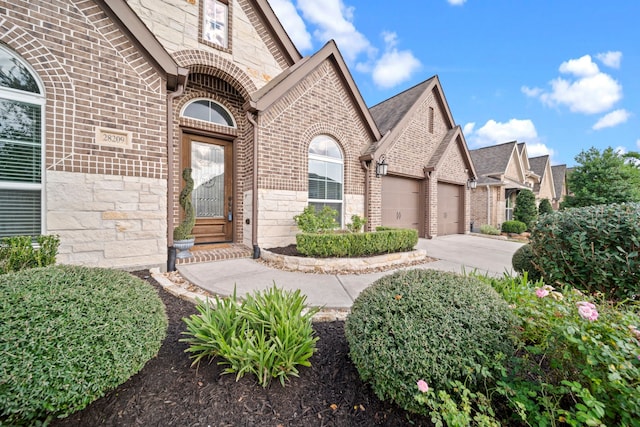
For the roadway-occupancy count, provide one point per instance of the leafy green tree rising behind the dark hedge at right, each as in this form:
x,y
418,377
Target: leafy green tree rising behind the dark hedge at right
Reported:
x,y
603,178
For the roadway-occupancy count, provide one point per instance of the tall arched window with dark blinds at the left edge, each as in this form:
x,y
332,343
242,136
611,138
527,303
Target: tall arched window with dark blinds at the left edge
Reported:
x,y
21,108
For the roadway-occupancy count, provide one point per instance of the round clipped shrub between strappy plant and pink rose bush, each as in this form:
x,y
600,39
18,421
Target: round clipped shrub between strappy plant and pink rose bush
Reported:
x,y
430,325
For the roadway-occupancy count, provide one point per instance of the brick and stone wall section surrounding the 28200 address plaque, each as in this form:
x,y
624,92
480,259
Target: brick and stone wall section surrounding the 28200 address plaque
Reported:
x,y
95,77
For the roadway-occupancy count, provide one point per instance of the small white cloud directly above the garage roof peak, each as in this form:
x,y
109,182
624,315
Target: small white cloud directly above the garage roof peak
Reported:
x,y
394,66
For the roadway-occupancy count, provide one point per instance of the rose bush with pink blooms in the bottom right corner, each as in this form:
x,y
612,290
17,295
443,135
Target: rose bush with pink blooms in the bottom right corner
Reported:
x,y
582,353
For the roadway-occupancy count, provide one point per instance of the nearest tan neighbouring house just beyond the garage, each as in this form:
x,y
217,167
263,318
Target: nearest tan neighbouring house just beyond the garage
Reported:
x,y
503,170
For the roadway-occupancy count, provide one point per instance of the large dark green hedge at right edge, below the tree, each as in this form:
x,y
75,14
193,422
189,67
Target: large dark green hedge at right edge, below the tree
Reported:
x,y
595,248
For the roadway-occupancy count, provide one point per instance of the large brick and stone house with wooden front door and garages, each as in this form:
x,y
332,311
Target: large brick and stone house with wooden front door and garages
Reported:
x,y
104,102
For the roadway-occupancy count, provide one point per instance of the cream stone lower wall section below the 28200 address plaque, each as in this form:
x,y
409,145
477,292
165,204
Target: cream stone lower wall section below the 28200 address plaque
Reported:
x,y
107,220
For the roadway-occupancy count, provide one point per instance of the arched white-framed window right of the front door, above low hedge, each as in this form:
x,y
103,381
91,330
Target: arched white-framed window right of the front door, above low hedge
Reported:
x,y
326,175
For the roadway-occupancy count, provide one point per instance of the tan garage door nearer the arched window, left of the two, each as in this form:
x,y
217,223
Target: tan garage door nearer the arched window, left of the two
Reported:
x,y
401,203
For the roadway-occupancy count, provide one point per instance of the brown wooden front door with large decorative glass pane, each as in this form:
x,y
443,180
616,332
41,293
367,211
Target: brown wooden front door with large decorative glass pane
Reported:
x,y
211,161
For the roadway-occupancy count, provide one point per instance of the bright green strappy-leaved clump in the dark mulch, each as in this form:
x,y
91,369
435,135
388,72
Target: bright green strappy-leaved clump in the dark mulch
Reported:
x,y
268,334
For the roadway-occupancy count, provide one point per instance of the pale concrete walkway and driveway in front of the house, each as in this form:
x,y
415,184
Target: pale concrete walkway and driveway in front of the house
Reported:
x,y
456,253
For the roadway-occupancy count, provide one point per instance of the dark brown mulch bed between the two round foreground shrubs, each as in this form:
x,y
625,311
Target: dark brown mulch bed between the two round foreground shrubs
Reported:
x,y
169,392
